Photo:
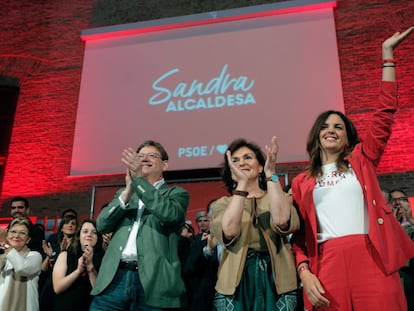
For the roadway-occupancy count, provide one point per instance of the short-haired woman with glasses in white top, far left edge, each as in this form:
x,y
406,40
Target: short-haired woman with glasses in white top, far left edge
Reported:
x,y
20,269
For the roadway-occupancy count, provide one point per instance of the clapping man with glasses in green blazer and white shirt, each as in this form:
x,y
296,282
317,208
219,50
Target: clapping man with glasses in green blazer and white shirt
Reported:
x,y
141,269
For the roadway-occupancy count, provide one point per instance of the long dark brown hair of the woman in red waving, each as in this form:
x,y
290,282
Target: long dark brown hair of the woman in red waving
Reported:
x,y
313,145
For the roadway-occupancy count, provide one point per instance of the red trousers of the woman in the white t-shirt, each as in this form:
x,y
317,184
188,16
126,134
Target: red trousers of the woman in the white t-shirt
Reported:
x,y
353,280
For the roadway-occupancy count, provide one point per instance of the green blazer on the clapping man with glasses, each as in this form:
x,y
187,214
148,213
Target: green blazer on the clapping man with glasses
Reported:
x,y
157,241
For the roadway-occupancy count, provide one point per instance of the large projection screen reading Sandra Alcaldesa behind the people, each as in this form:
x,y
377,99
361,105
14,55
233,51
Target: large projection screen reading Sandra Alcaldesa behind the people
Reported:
x,y
197,82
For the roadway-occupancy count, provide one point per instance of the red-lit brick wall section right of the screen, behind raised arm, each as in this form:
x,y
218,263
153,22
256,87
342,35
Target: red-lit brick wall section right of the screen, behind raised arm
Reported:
x,y
361,27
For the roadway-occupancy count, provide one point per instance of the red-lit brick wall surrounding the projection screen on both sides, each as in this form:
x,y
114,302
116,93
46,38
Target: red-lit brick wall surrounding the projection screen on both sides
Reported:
x,y
40,47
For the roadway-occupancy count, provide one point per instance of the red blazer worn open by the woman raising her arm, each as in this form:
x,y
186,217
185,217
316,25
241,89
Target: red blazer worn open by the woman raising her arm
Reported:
x,y
392,245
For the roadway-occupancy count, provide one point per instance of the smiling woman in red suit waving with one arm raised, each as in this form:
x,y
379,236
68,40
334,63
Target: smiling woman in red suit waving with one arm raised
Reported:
x,y
350,246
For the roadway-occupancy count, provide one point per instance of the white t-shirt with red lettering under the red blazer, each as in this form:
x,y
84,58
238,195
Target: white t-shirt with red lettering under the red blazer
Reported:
x,y
339,204
